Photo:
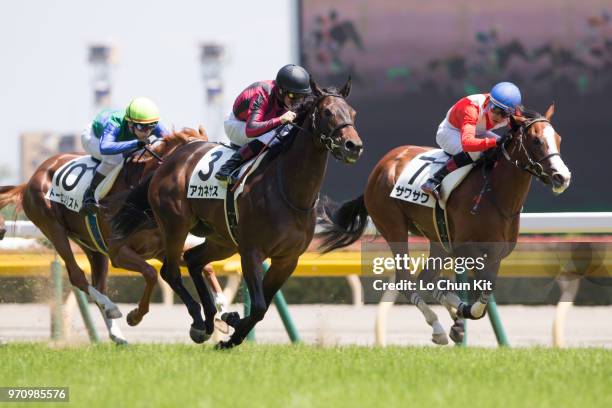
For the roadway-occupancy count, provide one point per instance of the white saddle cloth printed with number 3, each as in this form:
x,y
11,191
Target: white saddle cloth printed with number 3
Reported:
x,y
202,182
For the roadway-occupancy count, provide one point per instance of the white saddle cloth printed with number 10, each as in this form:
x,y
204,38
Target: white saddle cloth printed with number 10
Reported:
x,y
72,179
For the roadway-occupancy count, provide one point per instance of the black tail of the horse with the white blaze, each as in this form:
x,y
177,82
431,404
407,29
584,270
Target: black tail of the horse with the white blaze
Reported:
x,y
341,226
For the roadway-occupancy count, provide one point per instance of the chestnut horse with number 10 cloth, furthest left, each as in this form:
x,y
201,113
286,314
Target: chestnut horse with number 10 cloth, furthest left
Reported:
x,y
60,224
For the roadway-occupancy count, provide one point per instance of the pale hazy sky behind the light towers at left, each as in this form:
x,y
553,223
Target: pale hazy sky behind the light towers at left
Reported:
x,y
45,77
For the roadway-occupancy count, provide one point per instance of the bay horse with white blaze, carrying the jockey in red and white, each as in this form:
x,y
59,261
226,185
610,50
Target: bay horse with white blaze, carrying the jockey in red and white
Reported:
x,y
530,148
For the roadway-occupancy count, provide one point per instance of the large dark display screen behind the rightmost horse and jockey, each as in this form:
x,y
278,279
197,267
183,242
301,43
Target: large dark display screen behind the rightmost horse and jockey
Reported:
x,y
411,60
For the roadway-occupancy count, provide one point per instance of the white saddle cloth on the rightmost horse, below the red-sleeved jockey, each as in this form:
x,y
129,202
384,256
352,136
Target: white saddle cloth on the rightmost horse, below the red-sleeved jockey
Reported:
x,y
423,166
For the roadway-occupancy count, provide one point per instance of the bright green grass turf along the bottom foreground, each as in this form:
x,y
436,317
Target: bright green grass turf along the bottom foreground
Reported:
x,y
305,376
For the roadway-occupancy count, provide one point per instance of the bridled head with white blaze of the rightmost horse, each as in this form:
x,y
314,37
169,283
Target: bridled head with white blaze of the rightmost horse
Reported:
x,y
534,146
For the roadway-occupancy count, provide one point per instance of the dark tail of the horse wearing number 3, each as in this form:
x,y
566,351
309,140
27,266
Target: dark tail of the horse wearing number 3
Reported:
x,y
135,213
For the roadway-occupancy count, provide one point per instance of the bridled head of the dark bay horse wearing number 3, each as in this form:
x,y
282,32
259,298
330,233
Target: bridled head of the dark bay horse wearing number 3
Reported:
x,y
332,122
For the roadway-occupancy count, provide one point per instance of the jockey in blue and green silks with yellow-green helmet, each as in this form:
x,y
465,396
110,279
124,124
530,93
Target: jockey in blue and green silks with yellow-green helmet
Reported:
x,y
114,133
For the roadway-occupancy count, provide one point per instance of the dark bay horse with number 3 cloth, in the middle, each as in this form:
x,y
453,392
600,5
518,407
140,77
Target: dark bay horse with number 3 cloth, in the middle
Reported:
x,y
277,208
